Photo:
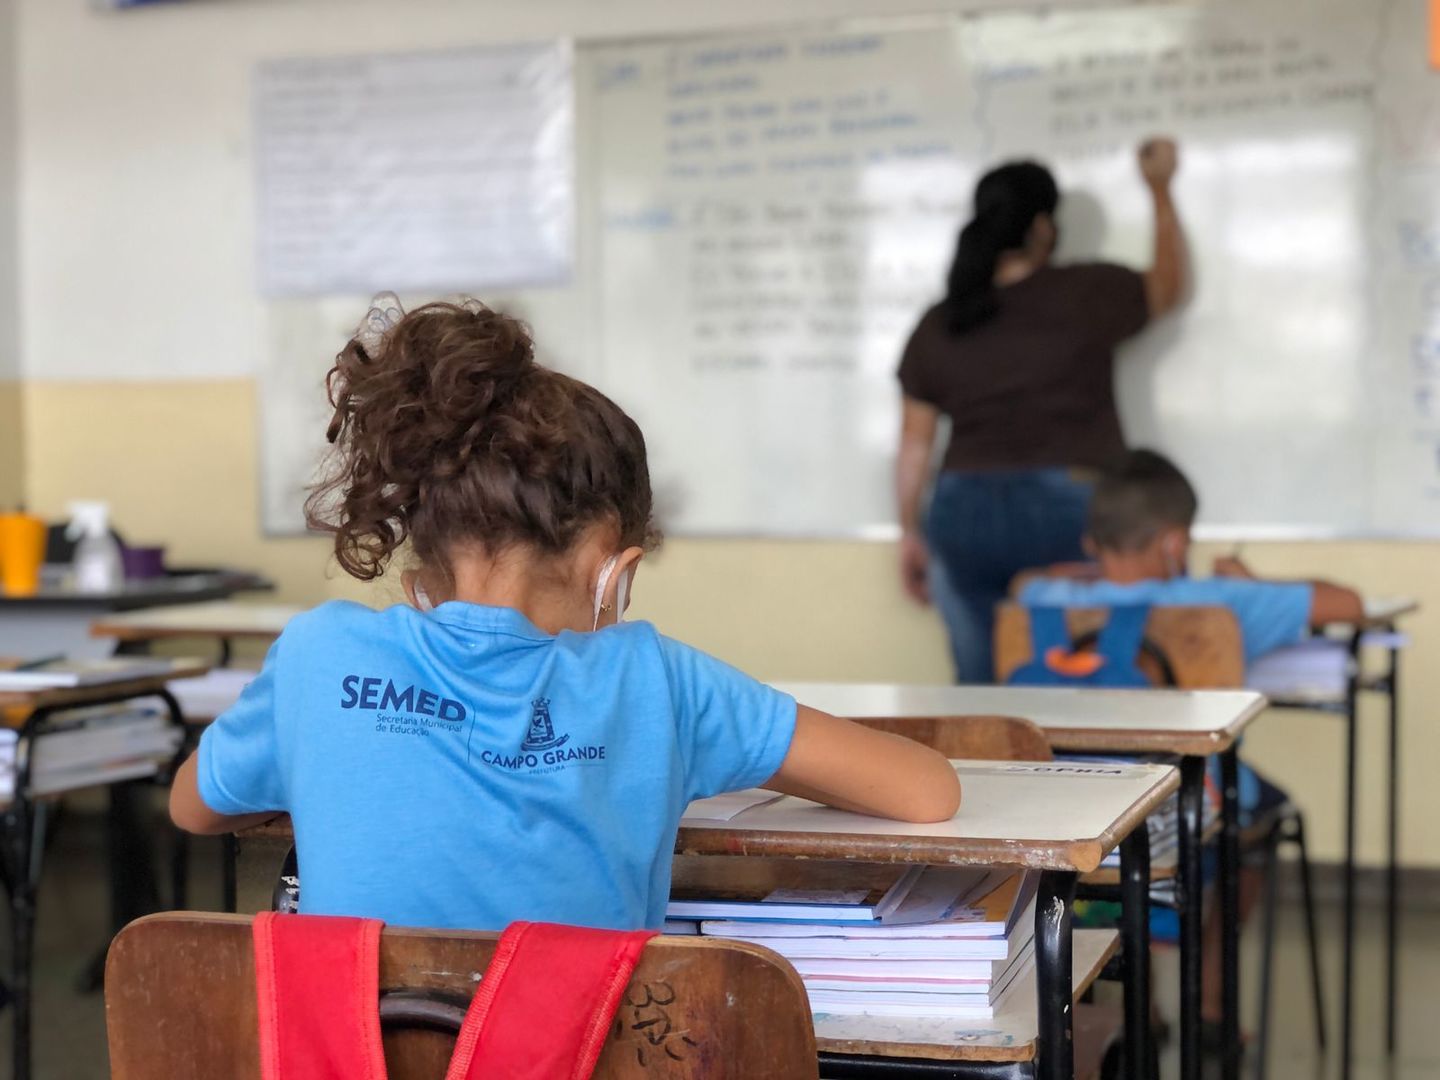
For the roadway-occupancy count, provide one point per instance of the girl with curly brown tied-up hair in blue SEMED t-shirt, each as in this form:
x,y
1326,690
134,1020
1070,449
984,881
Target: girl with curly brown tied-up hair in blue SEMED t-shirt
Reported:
x,y
502,748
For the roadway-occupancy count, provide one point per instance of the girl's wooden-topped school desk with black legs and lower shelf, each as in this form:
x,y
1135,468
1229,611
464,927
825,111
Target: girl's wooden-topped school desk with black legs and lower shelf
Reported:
x,y
1059,819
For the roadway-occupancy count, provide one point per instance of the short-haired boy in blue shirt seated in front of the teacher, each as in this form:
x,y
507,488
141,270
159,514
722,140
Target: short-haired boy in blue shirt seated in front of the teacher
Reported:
x,y
1138,532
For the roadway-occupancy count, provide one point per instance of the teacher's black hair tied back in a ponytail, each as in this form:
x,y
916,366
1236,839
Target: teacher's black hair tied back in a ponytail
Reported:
x,y
1007,202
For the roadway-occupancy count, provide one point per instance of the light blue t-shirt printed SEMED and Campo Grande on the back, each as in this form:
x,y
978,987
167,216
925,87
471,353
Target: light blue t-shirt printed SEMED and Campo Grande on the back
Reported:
x,y
462,768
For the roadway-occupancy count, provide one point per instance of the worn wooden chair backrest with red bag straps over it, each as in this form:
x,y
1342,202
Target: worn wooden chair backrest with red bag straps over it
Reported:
x,y
181,1002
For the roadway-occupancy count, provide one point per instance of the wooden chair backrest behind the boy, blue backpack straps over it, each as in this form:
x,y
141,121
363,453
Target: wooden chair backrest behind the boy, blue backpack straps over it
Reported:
x,y
1202,644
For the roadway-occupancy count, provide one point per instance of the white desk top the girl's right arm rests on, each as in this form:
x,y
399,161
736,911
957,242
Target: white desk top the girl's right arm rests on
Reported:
x,y
1022,814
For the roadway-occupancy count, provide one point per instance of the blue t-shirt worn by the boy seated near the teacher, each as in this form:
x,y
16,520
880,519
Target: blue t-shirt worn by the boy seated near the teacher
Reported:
x,y
1271,614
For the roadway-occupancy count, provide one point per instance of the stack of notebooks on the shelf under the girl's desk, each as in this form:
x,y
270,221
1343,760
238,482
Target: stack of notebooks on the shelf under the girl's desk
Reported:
x,y
879,941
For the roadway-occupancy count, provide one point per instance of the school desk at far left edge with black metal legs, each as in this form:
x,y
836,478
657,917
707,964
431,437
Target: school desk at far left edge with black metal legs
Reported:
x,y
24,845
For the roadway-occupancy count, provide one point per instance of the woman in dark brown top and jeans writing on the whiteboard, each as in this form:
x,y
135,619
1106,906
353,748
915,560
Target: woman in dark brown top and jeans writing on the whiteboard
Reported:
x,y
1020,358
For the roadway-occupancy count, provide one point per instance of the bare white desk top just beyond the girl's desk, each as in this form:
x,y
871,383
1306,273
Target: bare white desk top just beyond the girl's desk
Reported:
x,y
1196,722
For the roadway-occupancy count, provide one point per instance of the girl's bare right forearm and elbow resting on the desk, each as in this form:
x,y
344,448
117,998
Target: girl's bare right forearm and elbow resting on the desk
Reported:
x,y
860,770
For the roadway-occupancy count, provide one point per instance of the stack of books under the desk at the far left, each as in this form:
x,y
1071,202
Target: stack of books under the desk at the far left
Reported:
x,y
91,747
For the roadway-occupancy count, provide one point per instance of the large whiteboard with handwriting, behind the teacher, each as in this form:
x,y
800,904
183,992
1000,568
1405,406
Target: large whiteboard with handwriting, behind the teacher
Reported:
x,y
764,218
